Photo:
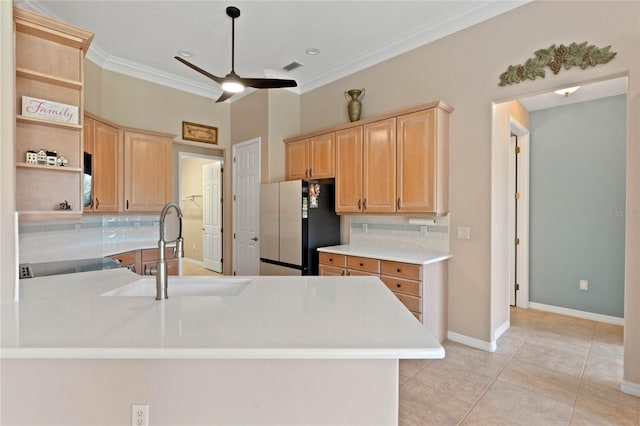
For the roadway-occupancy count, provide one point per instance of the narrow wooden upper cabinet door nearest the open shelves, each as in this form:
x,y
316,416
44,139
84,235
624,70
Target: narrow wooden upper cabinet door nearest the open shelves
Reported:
x,y
107,168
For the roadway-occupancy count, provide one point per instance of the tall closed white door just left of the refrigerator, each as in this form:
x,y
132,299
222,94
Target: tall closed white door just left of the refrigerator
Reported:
x,y
246,208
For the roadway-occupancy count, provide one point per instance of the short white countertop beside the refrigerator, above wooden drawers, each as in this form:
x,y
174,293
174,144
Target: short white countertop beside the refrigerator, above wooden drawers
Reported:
x,y
392,254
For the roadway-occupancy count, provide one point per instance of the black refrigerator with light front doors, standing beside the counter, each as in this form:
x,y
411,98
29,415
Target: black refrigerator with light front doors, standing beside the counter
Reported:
x,y
296,217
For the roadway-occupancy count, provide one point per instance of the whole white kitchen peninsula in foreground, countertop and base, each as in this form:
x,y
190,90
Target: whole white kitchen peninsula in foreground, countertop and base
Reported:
x,y
285,350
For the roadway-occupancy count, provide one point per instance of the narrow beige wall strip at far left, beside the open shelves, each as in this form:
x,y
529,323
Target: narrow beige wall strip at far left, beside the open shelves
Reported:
x,y
7,154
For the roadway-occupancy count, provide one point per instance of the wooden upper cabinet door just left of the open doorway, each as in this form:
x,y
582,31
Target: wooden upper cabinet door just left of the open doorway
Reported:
x,y
147,172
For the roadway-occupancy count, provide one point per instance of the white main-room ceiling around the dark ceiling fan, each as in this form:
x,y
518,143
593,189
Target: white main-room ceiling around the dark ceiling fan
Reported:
x,y
140,38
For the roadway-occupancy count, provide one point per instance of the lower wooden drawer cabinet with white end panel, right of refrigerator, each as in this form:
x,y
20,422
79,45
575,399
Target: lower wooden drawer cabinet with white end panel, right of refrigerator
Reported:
x,y
421,288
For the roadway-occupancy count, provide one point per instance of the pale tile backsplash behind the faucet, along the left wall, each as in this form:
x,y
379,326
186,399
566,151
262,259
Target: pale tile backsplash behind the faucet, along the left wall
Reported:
x,y
90,236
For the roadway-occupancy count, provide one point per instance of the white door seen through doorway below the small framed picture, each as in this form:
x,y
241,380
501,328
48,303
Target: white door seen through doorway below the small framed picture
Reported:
x,y
212,216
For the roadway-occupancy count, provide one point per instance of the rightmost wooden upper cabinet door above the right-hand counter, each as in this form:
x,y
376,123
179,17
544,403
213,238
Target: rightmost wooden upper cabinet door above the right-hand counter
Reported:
x,y
416,176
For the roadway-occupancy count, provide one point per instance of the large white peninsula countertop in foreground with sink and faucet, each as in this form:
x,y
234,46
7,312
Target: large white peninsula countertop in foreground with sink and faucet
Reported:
x,y
65,316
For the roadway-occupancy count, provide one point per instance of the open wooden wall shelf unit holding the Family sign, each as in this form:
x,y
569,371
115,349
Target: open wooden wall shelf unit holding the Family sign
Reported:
x,y
48,138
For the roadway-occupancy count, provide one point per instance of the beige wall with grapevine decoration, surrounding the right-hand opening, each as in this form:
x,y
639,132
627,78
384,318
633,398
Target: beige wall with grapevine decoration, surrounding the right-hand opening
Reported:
x,y
463,71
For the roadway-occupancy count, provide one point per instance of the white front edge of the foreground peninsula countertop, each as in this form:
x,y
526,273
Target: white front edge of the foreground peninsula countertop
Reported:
x,y
219,354
